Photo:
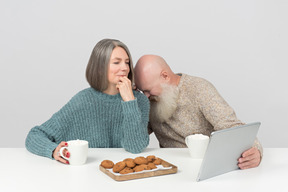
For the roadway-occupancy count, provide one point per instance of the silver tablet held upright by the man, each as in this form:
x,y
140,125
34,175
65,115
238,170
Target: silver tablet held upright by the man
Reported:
x,y
224,149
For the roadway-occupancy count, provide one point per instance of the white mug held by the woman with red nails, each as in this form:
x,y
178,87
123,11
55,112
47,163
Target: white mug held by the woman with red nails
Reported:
x,y
78,150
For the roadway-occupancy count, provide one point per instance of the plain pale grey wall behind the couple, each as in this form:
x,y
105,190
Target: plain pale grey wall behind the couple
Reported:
x,y
239,46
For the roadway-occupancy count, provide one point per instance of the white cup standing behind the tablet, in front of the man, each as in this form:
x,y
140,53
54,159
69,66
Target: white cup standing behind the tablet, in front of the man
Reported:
x,y
197,145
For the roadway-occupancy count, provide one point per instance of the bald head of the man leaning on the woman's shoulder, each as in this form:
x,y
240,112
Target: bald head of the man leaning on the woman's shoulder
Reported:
x,y
151,71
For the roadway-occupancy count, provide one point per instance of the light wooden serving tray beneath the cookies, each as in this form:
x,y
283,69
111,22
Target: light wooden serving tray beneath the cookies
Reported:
x,y
143,174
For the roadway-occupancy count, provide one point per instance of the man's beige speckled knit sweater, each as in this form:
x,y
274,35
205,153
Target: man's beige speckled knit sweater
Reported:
x,y
200,109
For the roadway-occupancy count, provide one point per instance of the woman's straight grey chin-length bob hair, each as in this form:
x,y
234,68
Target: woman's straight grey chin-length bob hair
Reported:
x,y
98,65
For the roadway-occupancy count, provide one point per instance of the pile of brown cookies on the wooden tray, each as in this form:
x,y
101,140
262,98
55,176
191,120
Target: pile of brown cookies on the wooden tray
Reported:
x,y
130,165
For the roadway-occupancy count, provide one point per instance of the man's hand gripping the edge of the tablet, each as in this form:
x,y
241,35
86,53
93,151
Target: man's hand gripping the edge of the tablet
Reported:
x,y
249,159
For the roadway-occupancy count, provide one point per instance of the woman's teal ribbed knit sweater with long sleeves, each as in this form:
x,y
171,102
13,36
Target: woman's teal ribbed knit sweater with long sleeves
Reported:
x,y
105,121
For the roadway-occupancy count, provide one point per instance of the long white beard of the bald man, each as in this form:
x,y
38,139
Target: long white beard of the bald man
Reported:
x,y
163,106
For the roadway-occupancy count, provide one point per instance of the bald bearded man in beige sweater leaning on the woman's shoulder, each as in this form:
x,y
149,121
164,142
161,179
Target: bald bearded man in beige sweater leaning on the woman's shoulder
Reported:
x,y
182,105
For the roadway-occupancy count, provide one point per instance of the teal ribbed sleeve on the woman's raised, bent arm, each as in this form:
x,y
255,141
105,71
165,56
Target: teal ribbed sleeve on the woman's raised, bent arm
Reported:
x,y
135,122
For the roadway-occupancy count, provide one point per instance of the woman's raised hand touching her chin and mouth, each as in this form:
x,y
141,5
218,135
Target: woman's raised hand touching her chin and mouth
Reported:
x,y
125,88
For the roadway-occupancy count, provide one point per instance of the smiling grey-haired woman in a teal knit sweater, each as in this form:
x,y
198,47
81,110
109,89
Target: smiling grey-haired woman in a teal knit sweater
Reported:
x,y
109,114
